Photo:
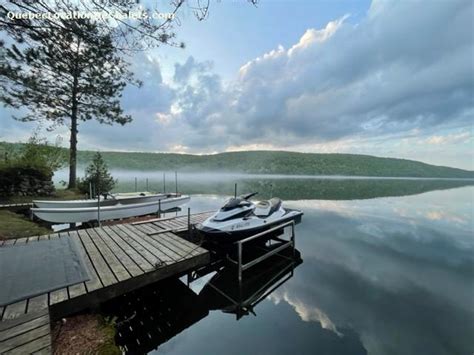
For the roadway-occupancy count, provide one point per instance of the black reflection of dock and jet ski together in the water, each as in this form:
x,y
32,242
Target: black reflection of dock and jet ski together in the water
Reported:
x,y
149,317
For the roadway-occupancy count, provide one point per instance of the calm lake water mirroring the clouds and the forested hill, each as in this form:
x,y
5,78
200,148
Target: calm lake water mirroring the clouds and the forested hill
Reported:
x,y
388,268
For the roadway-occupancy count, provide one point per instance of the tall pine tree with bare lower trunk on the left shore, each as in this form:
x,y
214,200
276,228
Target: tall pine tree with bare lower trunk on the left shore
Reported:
x,y
70,77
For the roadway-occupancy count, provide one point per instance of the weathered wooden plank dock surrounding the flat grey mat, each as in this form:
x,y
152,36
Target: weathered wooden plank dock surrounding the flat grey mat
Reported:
x,y
120,258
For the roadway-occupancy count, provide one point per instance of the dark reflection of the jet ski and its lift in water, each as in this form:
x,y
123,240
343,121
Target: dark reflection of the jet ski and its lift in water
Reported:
x,y
224,292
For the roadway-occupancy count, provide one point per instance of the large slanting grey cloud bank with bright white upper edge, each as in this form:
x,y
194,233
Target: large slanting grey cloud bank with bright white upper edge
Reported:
x,y
345,83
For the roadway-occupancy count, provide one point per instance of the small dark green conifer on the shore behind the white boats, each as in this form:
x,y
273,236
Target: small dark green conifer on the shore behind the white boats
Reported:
x,y
98,175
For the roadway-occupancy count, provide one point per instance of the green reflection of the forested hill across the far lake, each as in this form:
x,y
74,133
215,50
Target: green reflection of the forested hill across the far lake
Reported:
x,y
289,188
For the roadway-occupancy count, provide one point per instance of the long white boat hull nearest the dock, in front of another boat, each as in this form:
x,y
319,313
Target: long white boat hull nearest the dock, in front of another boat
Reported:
x,y
119,211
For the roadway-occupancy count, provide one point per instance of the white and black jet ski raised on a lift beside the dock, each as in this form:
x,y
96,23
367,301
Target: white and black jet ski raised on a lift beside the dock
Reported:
x,y
240,218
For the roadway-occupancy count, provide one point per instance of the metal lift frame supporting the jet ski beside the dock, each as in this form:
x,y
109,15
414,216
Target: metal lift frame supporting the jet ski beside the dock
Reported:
x,y
290,243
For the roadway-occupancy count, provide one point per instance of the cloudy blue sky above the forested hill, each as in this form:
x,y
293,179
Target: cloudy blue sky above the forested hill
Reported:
x,y
384,78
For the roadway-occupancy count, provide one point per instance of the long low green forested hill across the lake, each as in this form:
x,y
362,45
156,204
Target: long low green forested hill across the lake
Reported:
x,y
273,162
